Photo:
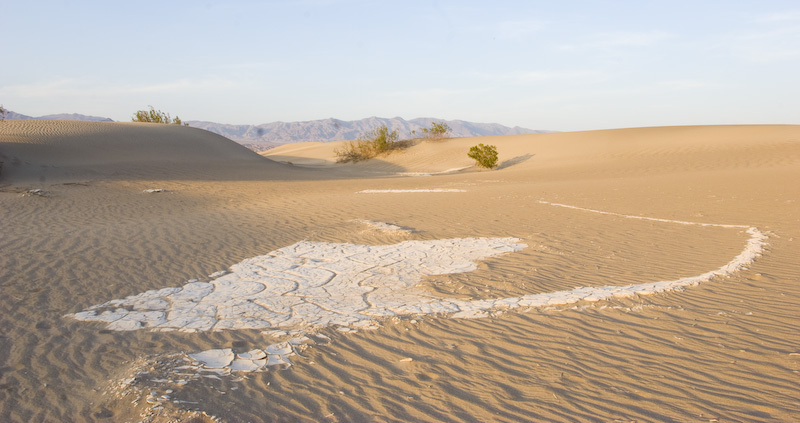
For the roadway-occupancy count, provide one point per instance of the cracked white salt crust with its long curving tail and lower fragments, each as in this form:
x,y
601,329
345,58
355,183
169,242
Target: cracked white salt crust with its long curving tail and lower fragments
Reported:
x,y
310,285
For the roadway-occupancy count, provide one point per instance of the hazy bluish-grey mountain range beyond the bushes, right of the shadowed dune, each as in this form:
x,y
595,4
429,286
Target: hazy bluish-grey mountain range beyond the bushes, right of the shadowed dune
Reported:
x,y
268,135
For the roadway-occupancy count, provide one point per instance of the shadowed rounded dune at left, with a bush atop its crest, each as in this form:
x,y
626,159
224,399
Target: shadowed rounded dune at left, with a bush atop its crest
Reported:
x,y
53,148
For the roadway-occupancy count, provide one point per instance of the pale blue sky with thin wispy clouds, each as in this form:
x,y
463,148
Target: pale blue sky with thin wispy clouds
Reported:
x,y
551,65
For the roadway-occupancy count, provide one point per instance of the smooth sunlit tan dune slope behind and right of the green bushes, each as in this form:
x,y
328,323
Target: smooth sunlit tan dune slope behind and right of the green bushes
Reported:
x,y
664,149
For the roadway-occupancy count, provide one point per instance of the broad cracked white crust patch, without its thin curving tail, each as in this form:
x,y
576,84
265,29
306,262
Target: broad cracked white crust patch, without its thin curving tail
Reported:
x,y
305,286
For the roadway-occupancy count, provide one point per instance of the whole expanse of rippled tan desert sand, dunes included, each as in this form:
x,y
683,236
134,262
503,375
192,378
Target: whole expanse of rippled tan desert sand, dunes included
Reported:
x,y
79,229
